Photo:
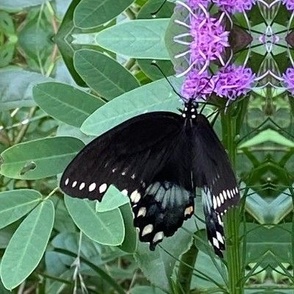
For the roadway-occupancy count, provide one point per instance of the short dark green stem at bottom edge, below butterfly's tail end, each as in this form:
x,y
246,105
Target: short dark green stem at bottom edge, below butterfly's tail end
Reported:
x,y
186,267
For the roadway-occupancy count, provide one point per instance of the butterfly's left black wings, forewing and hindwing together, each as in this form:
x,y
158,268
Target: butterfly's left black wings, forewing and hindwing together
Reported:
x,y
146,158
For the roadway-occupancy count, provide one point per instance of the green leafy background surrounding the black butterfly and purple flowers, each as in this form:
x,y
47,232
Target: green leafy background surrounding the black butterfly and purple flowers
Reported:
x,y
51,106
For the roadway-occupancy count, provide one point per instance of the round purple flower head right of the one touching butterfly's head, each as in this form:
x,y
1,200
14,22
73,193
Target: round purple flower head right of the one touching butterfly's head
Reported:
x,y
233,81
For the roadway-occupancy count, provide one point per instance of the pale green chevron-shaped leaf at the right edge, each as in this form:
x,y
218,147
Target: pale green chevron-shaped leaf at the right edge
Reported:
x,y
265,137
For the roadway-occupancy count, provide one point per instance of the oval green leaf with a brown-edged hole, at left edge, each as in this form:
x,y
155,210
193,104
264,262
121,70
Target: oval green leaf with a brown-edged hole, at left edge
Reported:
x,y
40,158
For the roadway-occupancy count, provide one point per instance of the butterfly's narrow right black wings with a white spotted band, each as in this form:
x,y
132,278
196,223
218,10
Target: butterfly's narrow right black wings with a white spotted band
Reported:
x,y
212,171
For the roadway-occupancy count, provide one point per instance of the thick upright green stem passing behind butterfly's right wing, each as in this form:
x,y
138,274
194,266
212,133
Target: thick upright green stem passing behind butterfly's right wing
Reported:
x,y
232,218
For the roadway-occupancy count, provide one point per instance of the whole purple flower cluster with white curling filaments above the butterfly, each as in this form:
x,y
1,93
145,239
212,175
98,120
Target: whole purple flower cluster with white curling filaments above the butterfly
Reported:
x,y
208,40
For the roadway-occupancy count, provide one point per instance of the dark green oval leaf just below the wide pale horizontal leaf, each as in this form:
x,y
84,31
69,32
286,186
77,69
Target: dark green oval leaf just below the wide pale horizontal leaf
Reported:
x,y
103,74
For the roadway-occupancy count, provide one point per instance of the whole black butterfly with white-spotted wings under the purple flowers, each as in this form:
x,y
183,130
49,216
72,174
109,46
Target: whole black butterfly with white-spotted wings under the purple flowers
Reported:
x,y
158,159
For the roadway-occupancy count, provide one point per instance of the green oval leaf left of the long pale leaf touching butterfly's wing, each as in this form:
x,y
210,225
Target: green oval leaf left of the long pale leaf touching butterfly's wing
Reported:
x,y
65,103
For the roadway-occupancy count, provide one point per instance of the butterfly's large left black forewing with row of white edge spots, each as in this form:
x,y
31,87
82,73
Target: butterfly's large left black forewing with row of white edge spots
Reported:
x,y
126,156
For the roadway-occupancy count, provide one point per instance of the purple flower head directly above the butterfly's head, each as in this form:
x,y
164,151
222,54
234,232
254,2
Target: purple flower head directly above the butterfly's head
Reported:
x,y
197,86
